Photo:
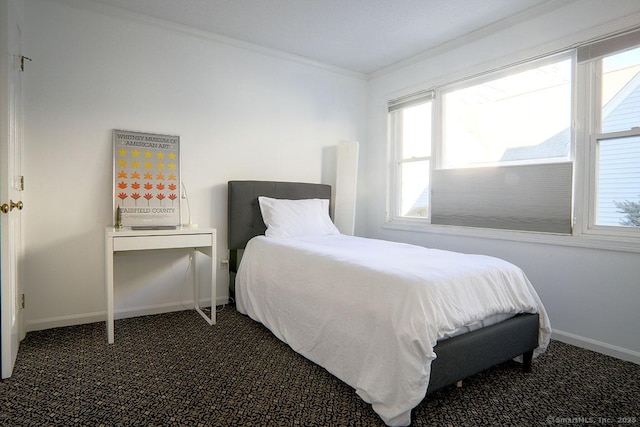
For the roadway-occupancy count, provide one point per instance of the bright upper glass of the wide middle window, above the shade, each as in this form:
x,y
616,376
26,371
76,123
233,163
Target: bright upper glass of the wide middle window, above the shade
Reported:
x,y
521,117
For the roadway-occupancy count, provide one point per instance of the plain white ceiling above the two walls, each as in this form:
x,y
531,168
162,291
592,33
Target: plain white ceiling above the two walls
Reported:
x,y
362,36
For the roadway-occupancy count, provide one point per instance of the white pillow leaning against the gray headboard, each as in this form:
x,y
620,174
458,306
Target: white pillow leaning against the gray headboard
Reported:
x,y
296,218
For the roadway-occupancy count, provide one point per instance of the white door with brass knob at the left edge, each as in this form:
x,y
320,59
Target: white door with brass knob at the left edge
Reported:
x,y
11,186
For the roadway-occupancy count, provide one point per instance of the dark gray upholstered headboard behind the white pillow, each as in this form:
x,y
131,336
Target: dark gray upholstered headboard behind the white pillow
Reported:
x,y
245,220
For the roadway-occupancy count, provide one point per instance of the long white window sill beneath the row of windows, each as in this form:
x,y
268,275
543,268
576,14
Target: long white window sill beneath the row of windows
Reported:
x,y
624,244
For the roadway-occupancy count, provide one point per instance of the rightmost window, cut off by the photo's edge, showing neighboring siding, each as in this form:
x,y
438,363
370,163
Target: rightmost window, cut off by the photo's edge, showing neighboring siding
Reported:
x,y
613,200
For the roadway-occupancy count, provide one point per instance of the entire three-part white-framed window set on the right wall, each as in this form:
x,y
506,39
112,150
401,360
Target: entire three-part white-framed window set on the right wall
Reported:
x,y
514,148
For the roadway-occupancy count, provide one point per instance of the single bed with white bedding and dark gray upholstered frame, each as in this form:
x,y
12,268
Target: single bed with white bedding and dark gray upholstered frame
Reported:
x,y
361,320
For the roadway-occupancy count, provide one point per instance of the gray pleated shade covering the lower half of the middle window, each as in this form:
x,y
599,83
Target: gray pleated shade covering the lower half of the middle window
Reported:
x,y
523,197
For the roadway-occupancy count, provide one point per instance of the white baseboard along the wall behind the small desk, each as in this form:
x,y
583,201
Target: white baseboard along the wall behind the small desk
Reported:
x,y
100,316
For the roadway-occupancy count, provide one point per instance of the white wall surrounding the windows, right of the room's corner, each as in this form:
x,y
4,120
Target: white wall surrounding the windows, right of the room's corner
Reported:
x,y
591,295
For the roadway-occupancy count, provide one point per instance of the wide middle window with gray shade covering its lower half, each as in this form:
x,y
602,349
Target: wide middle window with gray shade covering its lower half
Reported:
x,y
506,148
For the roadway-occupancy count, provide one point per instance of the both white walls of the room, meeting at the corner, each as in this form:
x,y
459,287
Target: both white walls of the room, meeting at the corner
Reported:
x,y
244,114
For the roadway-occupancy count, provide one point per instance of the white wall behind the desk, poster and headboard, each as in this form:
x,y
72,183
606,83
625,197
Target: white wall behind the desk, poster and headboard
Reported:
x,y
240,113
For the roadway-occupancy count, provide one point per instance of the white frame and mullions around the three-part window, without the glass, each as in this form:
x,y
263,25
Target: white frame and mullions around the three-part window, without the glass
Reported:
x,y
583,151
